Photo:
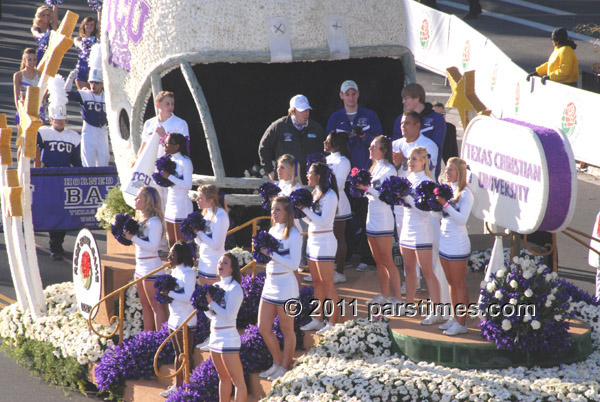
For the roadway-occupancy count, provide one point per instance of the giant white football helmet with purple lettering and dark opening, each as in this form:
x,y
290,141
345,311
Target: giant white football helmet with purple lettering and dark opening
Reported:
x,y
151,45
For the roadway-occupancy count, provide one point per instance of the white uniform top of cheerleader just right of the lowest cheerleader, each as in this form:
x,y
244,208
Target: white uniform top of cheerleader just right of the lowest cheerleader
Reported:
x,y
287,257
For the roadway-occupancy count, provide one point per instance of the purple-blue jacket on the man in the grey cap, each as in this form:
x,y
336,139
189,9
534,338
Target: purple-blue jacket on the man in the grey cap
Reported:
x,y
358,146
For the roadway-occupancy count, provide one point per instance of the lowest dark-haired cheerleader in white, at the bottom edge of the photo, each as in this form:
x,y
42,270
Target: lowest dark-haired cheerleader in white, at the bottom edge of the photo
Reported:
x,y
224,337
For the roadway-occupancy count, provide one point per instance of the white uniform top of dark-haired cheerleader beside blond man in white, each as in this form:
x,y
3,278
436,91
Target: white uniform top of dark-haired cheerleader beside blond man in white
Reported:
x,y
178,203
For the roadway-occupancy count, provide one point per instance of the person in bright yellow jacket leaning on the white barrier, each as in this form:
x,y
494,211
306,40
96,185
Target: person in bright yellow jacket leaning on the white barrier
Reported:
x,y
562,65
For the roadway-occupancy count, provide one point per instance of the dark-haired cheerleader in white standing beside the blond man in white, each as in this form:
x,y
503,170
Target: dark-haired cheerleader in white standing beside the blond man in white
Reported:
x,y
178,202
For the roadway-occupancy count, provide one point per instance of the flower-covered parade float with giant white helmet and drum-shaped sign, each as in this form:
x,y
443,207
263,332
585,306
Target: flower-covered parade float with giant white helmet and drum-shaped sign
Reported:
x,y
236,59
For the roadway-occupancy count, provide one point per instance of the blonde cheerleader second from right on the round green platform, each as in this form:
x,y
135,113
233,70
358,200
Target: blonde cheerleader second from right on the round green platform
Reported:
x,y
416,238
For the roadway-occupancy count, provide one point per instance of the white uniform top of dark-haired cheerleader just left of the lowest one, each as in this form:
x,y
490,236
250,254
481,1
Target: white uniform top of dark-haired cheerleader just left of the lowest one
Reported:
x,y
181,306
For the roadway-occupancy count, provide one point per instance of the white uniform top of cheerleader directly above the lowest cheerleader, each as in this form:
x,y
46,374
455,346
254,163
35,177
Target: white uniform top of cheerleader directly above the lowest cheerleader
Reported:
x,y
212,240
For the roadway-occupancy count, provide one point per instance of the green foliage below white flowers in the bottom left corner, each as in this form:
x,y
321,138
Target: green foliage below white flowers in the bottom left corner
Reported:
x,y
41,358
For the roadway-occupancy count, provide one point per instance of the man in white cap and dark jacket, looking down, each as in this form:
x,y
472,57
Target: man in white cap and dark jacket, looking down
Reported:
x,y
293,134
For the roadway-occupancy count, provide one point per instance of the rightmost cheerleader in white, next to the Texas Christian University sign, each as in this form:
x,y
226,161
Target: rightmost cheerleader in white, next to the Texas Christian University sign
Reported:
x,y
455,246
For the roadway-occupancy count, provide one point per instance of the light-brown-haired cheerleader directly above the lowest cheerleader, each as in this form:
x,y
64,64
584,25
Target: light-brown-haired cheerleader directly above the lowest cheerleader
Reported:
x,y
212,240
